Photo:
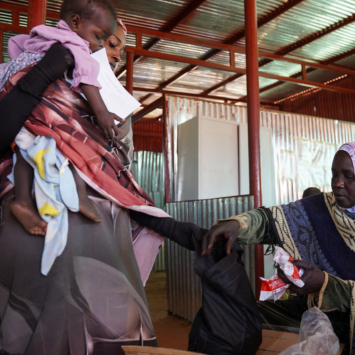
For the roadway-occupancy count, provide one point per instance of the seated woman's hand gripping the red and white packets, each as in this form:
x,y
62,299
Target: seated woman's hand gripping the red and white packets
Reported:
x,y
313,278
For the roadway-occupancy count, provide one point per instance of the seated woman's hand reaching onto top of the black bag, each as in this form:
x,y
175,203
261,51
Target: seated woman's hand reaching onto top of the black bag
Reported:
x,y
228,230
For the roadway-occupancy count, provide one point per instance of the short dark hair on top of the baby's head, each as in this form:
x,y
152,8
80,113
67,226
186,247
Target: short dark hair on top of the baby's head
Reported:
x,y
84,8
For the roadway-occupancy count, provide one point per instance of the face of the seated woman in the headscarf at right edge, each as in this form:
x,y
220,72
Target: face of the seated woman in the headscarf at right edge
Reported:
x,y
343,179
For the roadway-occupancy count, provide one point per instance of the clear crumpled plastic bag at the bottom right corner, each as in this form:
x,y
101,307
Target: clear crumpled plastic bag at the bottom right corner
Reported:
x,y
316,336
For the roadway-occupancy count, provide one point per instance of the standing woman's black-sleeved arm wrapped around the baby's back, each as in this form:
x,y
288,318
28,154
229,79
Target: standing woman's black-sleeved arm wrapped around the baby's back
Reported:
x,y
18,104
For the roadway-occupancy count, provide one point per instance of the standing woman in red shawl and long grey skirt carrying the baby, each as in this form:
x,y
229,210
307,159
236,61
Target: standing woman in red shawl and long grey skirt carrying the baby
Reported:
x,y
92,301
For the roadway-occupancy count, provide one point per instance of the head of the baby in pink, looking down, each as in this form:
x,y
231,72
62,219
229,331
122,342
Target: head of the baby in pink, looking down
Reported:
x,y
92,20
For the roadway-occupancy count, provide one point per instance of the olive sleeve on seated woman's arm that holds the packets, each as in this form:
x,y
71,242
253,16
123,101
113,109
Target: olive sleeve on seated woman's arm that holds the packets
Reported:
x,y
335,295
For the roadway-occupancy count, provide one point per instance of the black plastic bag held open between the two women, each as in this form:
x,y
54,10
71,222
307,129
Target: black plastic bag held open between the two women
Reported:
x,y
228,323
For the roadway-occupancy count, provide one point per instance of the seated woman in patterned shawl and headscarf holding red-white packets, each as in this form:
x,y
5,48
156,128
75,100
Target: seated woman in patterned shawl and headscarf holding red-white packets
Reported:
x,y
318,232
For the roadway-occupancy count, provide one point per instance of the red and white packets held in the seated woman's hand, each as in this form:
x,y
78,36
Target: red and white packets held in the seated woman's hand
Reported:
x,y
275,286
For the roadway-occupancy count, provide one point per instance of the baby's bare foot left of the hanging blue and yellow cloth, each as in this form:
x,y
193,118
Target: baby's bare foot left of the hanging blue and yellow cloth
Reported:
x,y
28,216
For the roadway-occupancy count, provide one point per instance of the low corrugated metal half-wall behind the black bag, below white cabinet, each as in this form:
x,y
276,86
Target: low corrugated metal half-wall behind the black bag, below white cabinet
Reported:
x,y
183,285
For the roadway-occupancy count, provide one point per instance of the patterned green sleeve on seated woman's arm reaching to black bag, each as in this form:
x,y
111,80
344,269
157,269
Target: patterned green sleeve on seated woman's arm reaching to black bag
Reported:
x,y
254,227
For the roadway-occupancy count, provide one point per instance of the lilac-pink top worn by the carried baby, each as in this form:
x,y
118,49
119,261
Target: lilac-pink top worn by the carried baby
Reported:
x,y
42,37
